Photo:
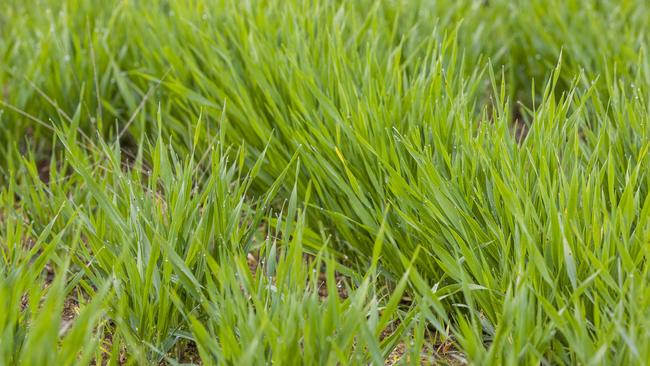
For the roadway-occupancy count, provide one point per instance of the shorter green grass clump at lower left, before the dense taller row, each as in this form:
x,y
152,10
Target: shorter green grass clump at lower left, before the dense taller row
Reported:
x,y
161,252
